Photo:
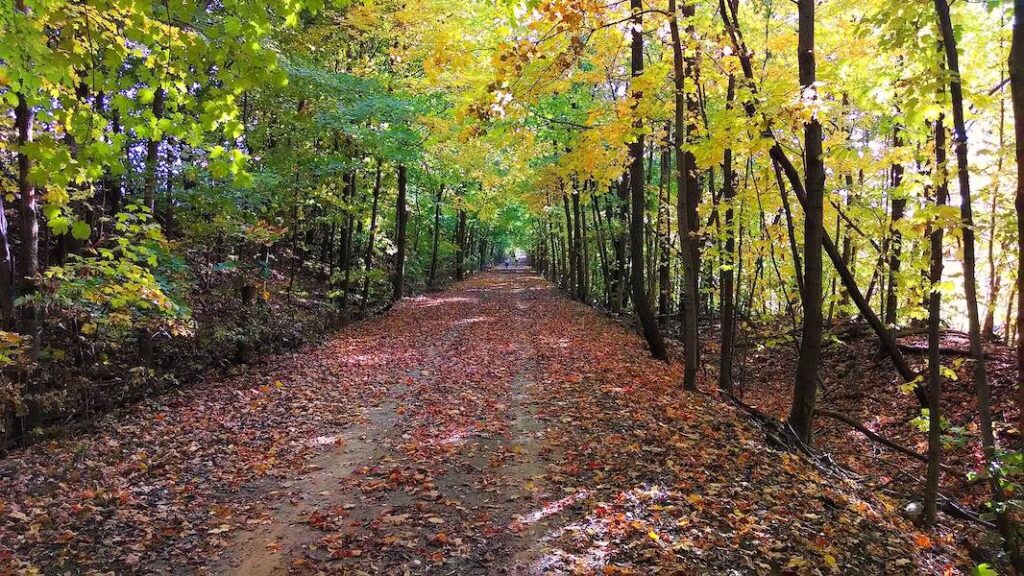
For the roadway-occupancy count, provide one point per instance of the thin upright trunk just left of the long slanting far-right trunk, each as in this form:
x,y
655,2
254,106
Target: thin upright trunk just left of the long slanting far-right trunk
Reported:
x,y
934,320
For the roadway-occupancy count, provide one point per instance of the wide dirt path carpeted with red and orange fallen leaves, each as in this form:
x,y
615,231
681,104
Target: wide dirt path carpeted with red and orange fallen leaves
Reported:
x,y
497,428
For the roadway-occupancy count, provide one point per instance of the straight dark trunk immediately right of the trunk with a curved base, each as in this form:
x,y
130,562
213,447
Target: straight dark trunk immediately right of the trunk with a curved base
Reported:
x,y
686,187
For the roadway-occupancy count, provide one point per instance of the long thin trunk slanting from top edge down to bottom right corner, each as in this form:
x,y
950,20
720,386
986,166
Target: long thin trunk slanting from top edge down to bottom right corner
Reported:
x,y
1004,521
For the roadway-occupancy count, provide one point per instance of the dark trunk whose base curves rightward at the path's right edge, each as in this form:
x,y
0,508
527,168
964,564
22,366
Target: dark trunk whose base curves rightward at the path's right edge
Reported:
x,y
638,198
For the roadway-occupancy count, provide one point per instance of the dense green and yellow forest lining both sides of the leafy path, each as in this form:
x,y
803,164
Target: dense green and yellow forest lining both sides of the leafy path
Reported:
x,y
188,185
